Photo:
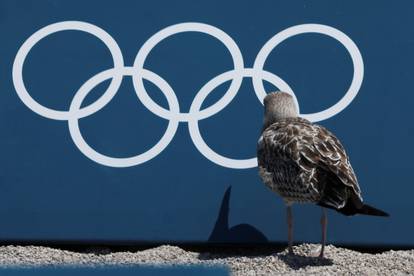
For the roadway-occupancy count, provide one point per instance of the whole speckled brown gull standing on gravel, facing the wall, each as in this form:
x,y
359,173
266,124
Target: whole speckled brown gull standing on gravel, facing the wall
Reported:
x,y
304,162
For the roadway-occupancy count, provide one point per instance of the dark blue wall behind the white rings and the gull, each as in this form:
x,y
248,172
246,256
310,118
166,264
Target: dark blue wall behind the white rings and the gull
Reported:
x,y
50,191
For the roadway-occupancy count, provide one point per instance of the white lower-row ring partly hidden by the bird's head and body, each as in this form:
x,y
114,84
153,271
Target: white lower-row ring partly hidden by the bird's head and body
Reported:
x,y
194,130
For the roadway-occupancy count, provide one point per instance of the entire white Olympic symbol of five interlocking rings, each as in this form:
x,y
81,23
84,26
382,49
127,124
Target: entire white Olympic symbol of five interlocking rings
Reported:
x,y
173,114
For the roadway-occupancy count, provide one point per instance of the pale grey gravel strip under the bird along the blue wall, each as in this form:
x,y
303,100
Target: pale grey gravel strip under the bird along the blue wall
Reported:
x,y
338,261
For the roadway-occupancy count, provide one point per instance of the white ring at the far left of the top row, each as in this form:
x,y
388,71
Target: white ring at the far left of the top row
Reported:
x,y
57,27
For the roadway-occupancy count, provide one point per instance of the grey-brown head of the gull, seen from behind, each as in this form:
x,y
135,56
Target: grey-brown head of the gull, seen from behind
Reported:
x,y
279,105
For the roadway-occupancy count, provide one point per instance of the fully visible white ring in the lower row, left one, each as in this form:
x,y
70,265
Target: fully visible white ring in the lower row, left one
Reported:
x,y
92,154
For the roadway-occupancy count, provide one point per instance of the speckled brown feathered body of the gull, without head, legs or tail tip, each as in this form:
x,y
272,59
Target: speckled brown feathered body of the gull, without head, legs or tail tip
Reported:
x,y
306,163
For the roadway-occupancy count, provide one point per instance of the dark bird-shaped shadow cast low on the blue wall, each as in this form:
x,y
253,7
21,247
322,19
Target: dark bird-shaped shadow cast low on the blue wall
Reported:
x,y
238,233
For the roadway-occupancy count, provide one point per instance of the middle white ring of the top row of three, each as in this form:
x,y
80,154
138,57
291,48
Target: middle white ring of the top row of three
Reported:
x,y
179,28
